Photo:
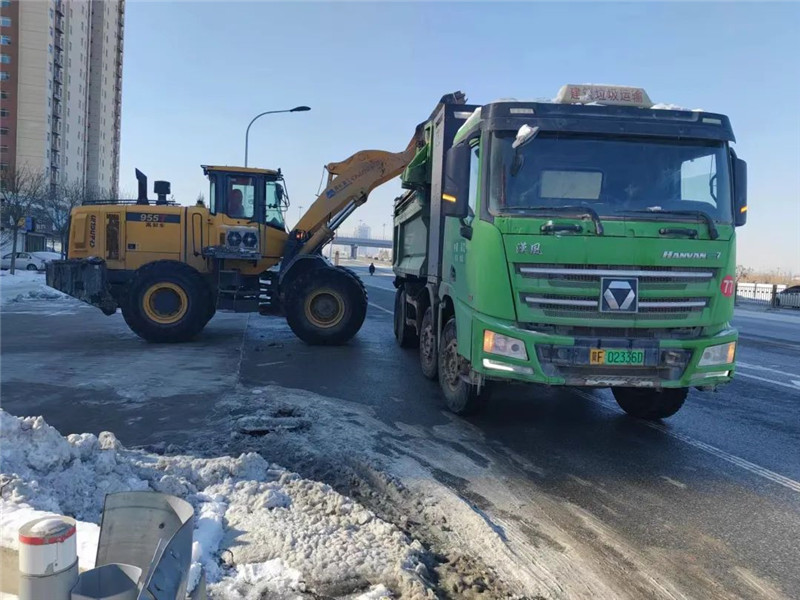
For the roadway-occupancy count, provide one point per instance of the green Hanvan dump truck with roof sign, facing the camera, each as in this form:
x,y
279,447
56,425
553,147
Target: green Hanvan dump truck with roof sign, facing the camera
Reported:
x,y
587,241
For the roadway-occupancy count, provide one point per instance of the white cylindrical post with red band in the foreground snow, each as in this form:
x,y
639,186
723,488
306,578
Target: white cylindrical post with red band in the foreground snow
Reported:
x,y
48,558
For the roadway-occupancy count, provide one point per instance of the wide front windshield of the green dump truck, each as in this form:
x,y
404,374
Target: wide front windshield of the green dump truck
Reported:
x,y
612,175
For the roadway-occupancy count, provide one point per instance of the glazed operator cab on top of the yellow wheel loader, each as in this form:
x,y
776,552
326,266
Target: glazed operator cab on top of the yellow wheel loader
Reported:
x,y
254,195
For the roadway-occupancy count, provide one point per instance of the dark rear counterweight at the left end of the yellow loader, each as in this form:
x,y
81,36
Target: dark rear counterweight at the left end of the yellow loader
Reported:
x,y
84,279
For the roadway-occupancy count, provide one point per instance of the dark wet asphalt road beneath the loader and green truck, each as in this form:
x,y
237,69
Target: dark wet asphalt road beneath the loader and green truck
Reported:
x,y
703,505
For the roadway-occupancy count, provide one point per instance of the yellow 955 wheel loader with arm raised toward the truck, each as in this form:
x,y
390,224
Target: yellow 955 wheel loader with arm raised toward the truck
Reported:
x,y
169,268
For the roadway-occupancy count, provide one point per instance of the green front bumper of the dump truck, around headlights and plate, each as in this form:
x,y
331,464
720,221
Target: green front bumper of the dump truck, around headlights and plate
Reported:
x,y
564,360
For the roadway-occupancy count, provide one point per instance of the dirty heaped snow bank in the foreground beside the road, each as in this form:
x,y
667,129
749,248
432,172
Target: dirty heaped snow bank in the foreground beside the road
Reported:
x,y
307,536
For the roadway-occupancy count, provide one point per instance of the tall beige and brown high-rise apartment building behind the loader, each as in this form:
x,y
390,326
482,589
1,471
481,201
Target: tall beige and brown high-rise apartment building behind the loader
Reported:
x,y
62,89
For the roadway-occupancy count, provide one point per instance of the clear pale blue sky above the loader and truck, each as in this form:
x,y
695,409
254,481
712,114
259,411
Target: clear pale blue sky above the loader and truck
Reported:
x,y
196,73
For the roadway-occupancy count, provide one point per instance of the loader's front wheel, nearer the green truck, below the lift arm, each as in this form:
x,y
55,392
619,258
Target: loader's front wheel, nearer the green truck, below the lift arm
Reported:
x,y
326,306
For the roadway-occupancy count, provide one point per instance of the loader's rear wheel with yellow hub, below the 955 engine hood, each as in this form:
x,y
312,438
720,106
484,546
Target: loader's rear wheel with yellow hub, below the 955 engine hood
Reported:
x,y
166,302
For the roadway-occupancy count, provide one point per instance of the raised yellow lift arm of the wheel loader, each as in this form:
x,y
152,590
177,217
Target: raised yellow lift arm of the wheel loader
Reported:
x,y
349,185
